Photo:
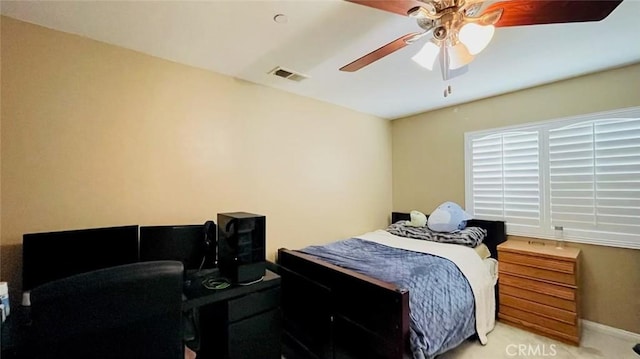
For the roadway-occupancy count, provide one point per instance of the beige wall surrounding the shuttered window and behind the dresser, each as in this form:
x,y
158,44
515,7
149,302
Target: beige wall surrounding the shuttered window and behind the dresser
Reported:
x,y
428,169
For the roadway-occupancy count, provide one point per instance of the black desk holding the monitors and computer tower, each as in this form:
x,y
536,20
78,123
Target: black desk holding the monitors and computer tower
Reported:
x,y
239,322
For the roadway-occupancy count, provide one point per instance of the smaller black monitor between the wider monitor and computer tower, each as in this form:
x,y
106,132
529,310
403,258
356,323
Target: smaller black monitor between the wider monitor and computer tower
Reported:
x,y
193,245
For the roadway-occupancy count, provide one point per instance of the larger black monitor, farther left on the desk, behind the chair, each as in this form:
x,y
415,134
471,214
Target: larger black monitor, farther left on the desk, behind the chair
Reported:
x,y
54,255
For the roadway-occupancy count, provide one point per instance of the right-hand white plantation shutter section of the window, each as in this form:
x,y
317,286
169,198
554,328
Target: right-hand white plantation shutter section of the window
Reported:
x,y
595,177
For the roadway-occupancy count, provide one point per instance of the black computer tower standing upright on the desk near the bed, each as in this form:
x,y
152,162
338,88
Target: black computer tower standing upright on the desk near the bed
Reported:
x,y
241,246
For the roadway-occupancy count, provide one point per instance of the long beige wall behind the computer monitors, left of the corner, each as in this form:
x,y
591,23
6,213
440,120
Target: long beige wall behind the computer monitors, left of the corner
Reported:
x,y
96,135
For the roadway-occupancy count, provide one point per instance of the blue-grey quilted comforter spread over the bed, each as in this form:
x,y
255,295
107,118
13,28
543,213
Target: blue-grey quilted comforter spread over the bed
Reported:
x,y
441,302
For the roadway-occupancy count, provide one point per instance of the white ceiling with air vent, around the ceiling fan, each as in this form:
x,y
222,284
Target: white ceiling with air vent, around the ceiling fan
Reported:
x,y
240,39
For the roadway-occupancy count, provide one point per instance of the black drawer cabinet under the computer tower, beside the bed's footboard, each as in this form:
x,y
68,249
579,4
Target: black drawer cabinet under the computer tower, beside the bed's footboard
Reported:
x,y
245,324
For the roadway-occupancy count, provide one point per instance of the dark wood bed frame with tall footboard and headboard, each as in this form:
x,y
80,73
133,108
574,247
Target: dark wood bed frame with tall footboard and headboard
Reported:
x,y
332,312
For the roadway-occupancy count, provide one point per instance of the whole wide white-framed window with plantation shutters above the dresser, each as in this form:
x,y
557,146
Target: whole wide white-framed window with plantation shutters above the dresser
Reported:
x,y
579,174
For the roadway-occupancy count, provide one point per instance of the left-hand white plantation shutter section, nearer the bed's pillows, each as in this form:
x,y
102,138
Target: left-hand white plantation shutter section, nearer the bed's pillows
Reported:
x,y
506,178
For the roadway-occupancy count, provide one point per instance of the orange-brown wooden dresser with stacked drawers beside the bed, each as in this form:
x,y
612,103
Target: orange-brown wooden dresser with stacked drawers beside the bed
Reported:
x,y
539,287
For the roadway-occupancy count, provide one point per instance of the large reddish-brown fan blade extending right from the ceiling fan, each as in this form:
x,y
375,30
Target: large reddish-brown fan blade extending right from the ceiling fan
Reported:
x,y
533,12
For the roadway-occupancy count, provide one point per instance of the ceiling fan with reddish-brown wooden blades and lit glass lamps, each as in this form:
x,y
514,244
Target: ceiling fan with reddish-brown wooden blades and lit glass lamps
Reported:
x,y
460,29
